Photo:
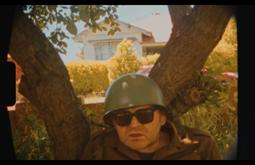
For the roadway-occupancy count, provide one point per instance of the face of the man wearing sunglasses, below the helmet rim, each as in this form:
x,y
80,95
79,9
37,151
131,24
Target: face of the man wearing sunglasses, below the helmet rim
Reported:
x,y
136,135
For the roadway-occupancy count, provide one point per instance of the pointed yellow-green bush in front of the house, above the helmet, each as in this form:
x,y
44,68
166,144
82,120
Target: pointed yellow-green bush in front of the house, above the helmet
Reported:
x,y
124,60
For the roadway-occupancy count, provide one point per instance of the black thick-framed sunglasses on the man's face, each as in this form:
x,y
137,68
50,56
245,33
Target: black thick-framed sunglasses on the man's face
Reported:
x,y
124,117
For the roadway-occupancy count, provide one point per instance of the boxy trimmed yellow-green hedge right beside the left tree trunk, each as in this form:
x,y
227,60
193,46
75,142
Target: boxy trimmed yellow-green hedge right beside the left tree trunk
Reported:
x,y
88,77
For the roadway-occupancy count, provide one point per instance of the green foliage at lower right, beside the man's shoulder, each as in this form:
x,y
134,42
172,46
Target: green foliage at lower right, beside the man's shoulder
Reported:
x,y
218,119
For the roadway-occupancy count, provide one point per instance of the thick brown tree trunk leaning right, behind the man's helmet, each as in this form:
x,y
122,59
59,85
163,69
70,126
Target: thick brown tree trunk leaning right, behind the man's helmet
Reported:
x,y
196,33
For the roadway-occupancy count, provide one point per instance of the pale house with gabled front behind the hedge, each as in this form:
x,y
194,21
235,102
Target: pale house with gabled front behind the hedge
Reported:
x,y
100,46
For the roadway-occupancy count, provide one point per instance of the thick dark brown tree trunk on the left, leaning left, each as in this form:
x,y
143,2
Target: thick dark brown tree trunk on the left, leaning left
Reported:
x,y
46,84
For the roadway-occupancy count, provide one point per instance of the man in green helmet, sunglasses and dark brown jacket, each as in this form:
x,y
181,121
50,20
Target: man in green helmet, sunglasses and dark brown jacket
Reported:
x,y
135,108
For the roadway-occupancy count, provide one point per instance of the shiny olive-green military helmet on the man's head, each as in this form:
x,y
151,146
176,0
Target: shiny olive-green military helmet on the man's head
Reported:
x,y
131,90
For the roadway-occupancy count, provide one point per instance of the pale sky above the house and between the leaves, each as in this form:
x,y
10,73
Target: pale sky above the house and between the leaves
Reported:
x,y
134,14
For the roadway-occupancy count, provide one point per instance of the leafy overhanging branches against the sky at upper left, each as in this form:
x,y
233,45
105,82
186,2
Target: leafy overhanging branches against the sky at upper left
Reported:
x,y
65,17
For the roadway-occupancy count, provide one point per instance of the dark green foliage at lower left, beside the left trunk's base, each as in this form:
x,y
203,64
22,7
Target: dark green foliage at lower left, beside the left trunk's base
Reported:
x,y
30,139
